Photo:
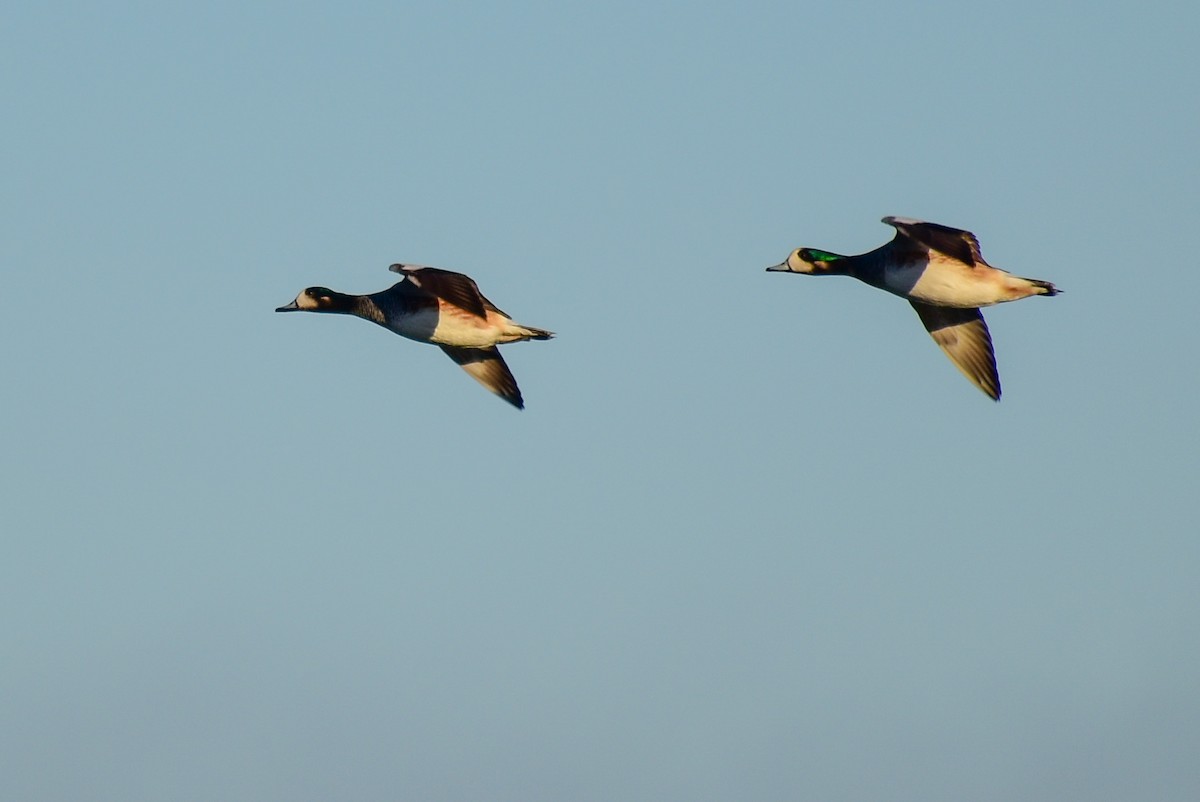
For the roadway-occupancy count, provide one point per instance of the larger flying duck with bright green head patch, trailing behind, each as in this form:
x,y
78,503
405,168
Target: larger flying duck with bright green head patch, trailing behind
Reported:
x,y
941,272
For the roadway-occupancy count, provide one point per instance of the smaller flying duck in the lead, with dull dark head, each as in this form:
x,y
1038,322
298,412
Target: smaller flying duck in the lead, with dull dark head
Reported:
x,y
441,308
